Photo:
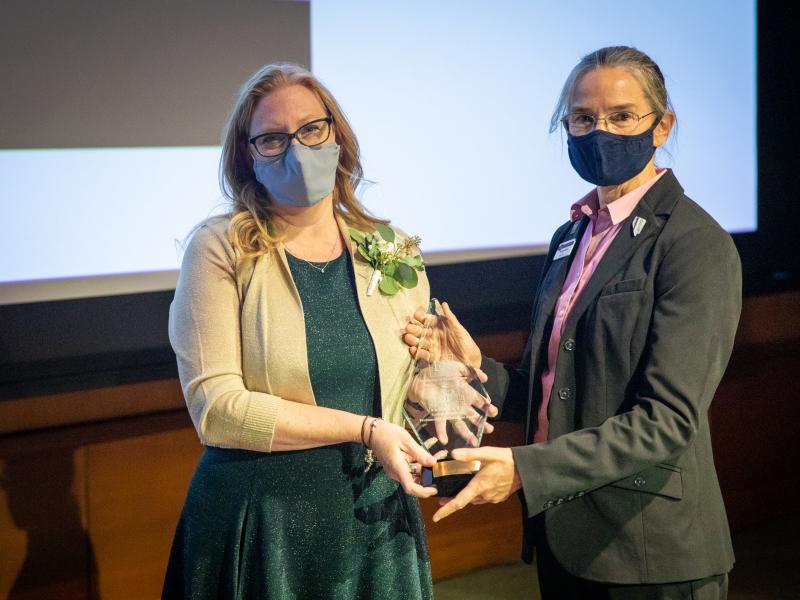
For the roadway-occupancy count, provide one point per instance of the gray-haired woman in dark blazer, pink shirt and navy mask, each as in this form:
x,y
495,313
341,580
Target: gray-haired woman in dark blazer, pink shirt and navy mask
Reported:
x,y
632,328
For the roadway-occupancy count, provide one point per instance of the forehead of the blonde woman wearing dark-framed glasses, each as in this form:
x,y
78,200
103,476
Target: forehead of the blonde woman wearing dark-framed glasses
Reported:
x,y
287,107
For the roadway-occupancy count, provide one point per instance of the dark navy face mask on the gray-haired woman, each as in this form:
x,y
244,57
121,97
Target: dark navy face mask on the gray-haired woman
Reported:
x,y
604,158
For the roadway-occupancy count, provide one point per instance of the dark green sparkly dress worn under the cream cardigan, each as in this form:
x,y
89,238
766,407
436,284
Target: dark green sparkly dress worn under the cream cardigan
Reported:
x,y
305,524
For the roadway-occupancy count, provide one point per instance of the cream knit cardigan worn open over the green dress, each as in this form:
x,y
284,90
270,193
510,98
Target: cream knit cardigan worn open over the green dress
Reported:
x,y
240,338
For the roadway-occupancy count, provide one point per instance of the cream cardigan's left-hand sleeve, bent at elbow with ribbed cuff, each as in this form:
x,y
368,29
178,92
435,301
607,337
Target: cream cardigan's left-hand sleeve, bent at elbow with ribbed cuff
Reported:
x,y
205,333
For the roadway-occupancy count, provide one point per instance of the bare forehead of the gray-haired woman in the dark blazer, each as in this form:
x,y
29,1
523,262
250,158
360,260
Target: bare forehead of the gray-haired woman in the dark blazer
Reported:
x,y
605,87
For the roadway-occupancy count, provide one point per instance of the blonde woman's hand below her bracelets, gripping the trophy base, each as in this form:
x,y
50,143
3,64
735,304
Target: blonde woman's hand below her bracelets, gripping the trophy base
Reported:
x,y
397,450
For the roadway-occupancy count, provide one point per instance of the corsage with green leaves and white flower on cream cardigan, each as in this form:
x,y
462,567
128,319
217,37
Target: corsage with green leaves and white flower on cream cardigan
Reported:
x,y
393,262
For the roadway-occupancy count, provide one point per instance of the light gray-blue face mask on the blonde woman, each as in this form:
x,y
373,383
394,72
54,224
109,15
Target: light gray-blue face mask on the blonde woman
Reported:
x,y
300,177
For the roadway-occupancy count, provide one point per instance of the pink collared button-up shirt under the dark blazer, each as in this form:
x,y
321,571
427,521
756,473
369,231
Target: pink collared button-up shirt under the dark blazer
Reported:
x,y
604,225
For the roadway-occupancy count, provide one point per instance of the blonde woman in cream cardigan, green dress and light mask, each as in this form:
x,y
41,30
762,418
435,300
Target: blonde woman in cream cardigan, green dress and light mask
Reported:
x,y
294,371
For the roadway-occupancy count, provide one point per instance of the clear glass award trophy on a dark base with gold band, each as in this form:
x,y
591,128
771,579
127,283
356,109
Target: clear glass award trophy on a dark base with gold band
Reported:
x,y
446,406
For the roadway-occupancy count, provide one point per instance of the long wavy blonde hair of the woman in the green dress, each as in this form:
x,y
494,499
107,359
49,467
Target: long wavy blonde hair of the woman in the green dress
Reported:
x,y
252,229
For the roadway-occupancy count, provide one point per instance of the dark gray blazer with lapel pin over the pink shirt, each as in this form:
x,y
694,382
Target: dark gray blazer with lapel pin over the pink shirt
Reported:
x,y
627,478
